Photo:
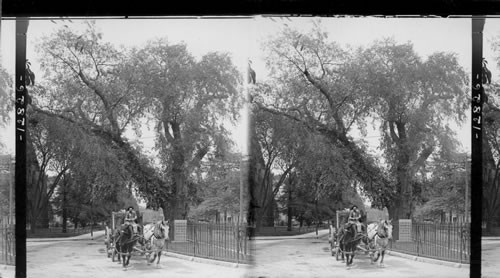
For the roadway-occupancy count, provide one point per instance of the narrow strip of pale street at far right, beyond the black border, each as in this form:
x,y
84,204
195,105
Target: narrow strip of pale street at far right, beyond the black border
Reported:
x,y
490,258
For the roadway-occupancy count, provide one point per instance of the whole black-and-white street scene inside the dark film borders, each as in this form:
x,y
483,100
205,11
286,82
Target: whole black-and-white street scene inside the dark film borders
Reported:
x,y
248,147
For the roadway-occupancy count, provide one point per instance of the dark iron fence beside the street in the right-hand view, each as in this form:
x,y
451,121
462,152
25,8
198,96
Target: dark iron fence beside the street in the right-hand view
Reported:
x,y
443,241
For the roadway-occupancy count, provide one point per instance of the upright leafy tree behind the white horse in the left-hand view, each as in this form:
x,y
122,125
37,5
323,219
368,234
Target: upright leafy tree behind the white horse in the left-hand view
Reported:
x,y
191,98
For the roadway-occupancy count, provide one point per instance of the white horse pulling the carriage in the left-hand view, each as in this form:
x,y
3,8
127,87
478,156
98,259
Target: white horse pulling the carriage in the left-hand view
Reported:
x,y
155,236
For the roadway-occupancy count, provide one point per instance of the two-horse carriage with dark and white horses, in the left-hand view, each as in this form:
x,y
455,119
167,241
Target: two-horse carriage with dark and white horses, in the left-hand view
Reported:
x,y
121,241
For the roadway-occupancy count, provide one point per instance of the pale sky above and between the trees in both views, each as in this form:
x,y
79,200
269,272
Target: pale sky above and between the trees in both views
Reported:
x,y
242,38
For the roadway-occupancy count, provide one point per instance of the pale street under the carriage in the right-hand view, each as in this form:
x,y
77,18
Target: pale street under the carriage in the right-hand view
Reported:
x,y
311,258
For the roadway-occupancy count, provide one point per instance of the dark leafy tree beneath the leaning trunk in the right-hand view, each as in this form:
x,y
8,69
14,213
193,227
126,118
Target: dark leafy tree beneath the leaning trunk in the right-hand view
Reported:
x,y
321,183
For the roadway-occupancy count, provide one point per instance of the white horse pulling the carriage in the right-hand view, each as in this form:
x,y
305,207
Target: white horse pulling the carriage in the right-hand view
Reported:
x,y
379,235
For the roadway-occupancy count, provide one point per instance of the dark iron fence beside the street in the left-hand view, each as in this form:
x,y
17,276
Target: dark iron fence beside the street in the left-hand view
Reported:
x,y
225,242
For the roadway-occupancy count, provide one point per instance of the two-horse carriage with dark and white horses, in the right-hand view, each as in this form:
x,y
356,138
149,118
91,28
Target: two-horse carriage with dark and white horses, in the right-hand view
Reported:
x,y
345,239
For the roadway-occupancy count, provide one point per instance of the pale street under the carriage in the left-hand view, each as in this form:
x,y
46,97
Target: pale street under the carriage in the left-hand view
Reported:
x,y
87,258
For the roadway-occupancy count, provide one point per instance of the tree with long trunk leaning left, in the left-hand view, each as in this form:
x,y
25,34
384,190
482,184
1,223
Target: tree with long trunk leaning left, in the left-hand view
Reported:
x,y
87,84
